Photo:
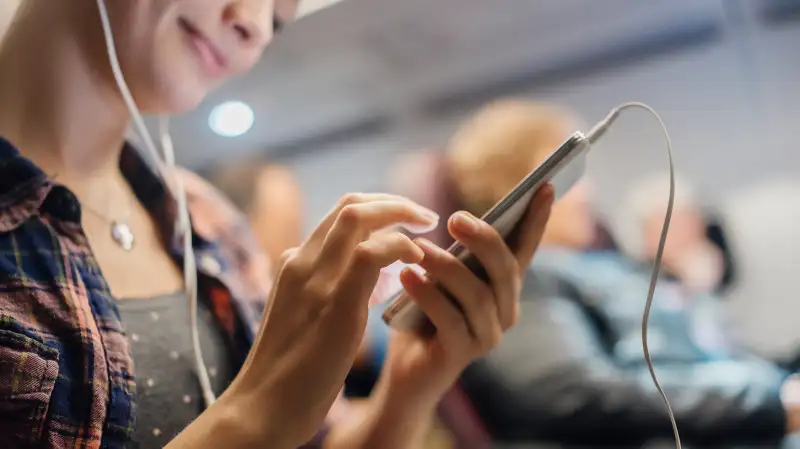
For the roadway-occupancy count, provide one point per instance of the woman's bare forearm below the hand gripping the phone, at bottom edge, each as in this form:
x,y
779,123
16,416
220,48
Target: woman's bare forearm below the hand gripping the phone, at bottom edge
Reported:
x,y
390,419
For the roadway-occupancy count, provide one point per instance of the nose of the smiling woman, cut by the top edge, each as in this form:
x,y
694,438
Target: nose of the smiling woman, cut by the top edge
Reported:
x,y
249,21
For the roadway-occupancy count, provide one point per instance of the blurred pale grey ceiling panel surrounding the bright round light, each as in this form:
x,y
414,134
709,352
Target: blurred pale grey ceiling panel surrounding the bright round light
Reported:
x,y
363,66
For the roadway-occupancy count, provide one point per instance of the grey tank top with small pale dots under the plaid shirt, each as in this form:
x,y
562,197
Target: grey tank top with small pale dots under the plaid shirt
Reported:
x,y
168,393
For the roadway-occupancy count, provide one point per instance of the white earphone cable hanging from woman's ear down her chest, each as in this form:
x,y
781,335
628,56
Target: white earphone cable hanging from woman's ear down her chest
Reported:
x,y
184,227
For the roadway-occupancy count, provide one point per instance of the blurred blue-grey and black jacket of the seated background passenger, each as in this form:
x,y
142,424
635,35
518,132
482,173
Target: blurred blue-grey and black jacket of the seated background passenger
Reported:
x,y
572,370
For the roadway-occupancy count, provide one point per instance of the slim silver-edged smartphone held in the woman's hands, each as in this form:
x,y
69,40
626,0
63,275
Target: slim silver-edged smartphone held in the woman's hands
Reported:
x,y
563,168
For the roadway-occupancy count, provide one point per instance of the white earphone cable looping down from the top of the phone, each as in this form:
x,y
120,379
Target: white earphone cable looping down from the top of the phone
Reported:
x,y
593,135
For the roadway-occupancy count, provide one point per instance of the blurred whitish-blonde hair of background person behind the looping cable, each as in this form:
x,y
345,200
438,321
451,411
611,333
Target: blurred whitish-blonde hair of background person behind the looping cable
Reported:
x,y
644,198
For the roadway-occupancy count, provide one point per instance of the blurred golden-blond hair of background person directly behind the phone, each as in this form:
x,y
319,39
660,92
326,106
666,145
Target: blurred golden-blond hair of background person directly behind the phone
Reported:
x,y
500,145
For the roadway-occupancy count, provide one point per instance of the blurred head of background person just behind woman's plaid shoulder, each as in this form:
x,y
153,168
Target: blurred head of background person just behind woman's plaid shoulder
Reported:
x,y
273,199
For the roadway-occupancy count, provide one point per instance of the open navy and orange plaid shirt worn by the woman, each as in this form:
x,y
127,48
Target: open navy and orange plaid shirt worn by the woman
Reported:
x,y
66,373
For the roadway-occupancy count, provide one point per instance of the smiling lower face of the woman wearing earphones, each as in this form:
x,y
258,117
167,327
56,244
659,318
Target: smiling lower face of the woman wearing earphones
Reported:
x,y
174,52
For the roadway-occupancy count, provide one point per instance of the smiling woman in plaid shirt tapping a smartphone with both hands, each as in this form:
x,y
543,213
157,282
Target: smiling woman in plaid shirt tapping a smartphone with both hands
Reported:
x,y
86,232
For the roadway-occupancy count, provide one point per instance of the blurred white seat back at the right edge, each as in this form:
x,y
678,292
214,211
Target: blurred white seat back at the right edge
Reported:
x,y
763,221
